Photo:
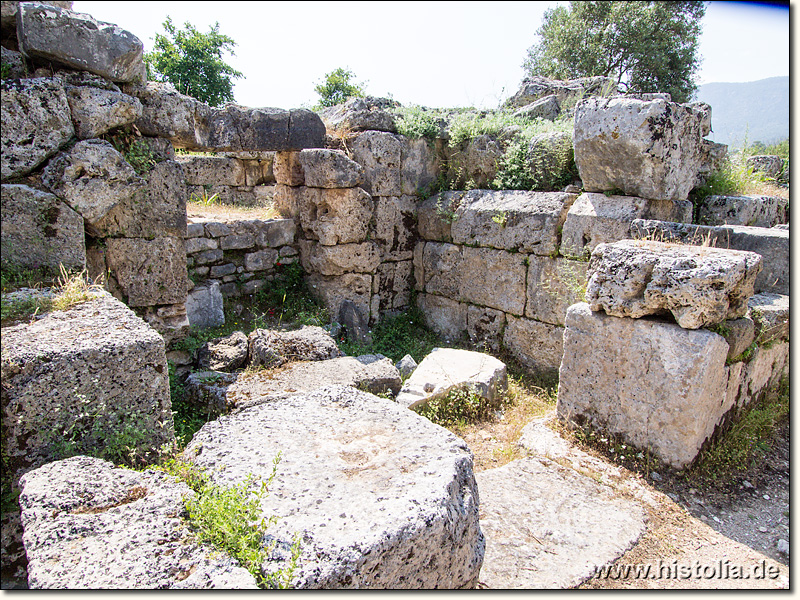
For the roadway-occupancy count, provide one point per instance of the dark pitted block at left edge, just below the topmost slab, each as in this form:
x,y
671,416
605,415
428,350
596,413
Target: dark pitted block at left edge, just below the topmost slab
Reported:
x,y
36,123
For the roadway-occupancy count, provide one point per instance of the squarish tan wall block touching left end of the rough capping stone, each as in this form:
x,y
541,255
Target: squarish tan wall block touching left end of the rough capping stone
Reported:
x,y
554,284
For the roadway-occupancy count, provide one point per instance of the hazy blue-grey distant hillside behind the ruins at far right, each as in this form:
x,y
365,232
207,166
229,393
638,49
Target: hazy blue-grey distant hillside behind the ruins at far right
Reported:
x,y
758,109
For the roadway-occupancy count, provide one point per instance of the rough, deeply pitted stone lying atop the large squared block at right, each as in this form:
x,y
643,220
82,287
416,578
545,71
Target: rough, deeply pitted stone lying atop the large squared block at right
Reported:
x,y
698,286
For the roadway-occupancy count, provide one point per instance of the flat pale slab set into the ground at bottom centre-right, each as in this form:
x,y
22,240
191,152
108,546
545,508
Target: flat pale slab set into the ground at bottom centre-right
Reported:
x,y
549,527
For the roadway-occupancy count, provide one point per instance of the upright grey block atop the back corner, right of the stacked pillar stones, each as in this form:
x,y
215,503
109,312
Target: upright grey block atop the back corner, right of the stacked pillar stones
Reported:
x,y
380,154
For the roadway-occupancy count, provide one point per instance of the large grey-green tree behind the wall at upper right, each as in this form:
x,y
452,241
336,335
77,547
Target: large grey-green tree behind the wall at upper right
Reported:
x,y
646,46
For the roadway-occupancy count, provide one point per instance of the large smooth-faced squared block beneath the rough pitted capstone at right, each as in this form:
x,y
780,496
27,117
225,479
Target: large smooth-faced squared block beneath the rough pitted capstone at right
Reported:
x,y
657,385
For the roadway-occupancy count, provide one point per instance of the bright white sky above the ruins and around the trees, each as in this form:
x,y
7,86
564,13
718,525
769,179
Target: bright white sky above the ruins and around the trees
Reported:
x,y
438,54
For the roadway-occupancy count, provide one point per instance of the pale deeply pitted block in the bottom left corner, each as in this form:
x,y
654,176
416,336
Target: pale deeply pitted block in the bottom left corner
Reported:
x,y
89,525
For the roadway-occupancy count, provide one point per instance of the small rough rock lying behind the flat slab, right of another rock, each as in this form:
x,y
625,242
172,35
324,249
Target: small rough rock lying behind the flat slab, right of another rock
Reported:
x,y
273,348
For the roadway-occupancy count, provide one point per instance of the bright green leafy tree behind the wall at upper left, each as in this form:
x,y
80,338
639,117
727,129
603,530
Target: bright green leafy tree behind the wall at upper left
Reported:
x,y
192,62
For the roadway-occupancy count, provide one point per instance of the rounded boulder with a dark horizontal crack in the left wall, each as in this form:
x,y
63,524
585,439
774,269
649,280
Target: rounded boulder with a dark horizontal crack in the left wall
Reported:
x,y
92,178
